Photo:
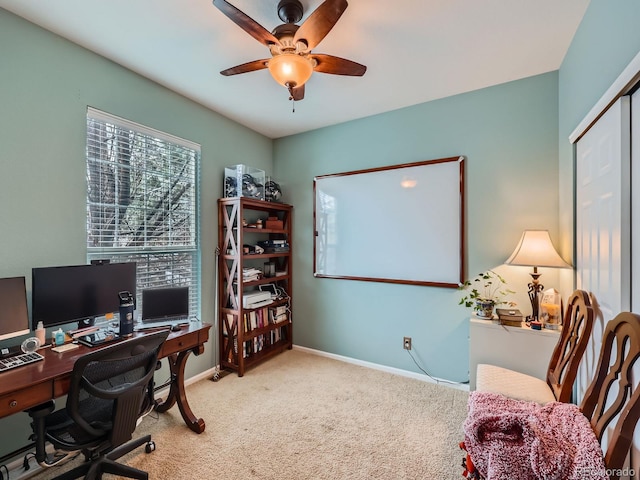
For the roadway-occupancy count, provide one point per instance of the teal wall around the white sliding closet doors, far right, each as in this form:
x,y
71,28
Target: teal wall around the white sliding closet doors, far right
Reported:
x,y
606,41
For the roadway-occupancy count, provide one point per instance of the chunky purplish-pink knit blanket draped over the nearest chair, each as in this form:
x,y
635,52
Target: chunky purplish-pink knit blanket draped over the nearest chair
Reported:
x,y
509,439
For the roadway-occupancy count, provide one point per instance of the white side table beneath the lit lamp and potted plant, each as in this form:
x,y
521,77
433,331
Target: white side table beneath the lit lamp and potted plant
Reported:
x,y
516,348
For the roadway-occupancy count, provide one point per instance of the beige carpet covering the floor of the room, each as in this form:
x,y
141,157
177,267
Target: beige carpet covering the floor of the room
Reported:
x,y
303,416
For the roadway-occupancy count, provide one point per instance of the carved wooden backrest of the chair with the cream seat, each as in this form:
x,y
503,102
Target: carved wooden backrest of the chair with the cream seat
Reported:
x,y
576,331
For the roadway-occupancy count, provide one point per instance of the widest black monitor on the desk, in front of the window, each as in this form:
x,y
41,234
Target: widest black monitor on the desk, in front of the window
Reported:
x,y
79,292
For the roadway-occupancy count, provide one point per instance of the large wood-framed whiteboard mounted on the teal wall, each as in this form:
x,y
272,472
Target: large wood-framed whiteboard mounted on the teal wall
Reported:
x,y
397,224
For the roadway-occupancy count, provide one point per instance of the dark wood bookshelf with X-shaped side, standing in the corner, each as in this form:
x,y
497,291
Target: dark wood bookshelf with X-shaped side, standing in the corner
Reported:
x,y
242,347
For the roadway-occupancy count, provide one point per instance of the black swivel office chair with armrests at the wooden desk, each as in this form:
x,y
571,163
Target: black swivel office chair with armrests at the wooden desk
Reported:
x,y
110,390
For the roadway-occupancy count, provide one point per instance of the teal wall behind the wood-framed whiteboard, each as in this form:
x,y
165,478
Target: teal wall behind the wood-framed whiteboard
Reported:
x,y
508,134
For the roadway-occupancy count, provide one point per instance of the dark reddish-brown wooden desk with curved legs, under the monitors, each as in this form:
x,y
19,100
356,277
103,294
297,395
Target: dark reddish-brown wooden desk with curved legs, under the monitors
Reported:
x,y
37,383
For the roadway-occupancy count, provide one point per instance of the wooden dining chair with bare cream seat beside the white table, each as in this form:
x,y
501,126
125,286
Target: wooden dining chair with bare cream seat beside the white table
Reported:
x,y
563,365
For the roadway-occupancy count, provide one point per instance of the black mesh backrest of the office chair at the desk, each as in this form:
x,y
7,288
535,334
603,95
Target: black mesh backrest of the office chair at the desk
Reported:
x,y
109,387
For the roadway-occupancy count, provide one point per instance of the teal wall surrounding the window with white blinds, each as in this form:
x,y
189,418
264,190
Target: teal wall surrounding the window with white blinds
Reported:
x,y
46,84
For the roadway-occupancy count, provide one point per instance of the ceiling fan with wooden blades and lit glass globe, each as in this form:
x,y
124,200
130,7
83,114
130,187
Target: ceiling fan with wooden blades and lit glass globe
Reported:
x,y
292,63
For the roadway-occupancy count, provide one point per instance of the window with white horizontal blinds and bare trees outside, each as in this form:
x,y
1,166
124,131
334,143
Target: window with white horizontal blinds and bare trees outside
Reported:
x,y
142,203
